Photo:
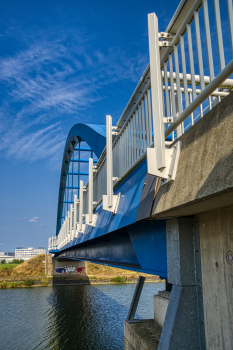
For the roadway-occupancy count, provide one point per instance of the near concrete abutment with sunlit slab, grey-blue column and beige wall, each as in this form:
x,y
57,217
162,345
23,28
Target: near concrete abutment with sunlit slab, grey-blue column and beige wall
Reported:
x,y
199,313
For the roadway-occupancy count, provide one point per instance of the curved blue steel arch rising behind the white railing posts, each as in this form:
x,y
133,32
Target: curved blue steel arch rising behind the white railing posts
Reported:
x,y
95,137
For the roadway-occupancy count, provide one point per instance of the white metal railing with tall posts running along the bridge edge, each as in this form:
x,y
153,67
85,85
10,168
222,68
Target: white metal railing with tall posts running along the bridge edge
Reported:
x,y
169,99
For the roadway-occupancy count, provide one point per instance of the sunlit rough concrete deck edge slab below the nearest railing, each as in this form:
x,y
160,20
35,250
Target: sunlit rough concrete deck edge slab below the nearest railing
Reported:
x,y
204,179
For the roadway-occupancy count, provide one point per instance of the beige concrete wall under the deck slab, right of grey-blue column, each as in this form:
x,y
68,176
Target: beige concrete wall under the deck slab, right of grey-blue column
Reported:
x,y
216,243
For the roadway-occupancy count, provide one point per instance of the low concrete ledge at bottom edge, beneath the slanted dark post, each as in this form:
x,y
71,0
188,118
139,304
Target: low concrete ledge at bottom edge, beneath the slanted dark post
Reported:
x,y
141,336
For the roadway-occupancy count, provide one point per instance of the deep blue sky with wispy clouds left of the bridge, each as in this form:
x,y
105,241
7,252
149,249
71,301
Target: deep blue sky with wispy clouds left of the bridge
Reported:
x,y
61,62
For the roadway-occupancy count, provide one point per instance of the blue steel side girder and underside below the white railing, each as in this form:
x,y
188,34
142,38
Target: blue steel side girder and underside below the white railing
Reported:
x,y
125,239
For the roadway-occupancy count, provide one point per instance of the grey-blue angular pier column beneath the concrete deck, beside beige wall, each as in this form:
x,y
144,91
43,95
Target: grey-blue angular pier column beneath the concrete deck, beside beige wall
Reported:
x,y
183,326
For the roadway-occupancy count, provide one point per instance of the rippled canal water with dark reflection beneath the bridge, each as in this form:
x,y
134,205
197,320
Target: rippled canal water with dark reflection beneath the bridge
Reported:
x,y
85,317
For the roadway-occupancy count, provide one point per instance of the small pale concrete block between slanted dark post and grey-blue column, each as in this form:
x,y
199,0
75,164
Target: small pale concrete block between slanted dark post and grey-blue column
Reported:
x,y
160,307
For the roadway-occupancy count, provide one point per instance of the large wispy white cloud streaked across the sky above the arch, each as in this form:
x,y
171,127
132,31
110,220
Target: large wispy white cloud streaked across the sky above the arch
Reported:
x,y
55,79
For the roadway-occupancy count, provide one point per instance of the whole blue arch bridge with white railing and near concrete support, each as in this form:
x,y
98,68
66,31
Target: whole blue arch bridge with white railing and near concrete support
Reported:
x,y
132,195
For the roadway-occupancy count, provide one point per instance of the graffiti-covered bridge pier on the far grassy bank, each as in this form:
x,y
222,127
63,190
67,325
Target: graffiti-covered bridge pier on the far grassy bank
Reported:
x,y
66,271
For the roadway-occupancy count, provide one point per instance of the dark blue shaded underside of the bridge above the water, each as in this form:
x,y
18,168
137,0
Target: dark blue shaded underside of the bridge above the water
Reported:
x,y
139,247
